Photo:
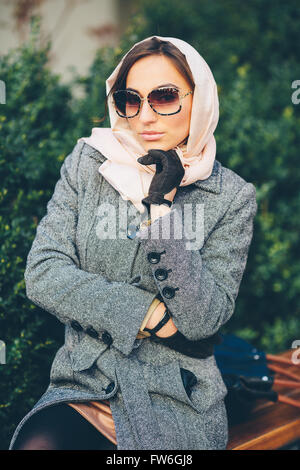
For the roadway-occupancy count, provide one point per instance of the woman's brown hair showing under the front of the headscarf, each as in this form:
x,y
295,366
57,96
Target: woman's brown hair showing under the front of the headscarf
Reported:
x,y
153,46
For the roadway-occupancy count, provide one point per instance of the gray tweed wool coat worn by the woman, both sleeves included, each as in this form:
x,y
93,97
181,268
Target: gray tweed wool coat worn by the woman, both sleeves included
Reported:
x,y
101,288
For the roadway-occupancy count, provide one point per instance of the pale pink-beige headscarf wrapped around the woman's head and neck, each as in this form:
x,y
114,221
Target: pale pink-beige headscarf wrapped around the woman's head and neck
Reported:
x,y
121,148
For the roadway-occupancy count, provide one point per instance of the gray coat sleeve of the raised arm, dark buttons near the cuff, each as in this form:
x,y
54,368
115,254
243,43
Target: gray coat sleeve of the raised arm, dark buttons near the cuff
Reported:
x,y
201,284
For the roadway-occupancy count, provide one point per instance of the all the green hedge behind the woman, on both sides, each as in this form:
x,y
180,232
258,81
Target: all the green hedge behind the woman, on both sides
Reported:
x,y
252,51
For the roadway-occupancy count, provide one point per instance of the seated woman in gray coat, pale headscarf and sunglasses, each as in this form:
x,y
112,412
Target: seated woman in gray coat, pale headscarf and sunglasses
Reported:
x,y
141,308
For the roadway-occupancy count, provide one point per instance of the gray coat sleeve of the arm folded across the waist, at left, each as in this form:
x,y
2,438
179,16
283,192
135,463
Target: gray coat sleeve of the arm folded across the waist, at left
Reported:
x,y
55,282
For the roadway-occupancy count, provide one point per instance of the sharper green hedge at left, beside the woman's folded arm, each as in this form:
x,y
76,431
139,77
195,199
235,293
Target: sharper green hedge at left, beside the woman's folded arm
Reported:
x,y
34,126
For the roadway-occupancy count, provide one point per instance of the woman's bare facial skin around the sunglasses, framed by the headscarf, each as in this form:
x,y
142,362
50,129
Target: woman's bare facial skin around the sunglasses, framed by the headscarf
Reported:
x,y
145,75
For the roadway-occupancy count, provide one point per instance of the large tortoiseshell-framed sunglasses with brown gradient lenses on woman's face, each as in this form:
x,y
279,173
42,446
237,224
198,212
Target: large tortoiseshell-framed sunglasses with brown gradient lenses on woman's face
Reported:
x,y
164,101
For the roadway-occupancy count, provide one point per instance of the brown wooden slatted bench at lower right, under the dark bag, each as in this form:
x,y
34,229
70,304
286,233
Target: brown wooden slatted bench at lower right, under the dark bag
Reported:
x,y
270,425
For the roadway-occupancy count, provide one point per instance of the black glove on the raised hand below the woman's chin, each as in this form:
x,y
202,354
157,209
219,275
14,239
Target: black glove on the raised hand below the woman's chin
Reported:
x,y
169,173
